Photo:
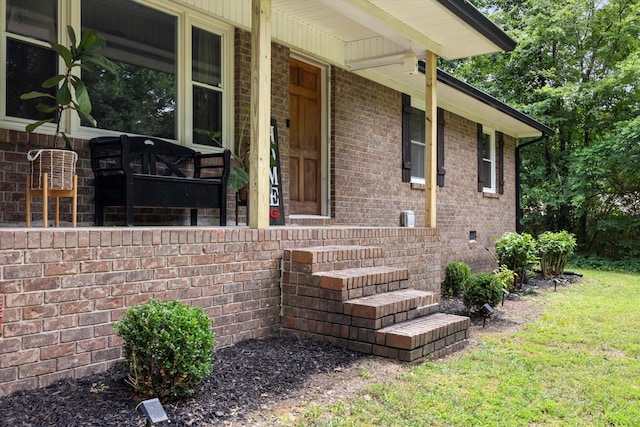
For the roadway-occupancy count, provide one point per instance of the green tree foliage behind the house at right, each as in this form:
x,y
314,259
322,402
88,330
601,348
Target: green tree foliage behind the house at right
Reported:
x,y
576,68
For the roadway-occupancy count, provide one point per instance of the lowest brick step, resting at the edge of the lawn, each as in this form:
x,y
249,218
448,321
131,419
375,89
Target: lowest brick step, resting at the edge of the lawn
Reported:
x,y
416,339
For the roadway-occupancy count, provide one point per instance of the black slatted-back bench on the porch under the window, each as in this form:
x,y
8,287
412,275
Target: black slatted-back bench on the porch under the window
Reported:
x,y
138,171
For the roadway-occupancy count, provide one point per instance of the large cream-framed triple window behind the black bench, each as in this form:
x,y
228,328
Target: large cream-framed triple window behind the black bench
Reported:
x,y
174,66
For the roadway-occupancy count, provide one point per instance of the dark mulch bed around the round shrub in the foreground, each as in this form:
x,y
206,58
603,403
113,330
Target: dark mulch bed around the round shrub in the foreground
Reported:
x,y
245,376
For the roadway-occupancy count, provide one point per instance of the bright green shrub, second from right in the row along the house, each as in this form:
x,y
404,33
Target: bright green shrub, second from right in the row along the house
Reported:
x,y
516,252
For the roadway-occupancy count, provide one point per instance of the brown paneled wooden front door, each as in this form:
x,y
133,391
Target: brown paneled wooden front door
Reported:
x,y
305,138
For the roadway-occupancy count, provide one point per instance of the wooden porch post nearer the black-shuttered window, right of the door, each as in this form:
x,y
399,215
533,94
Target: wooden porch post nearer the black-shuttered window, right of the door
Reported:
x,y
431,136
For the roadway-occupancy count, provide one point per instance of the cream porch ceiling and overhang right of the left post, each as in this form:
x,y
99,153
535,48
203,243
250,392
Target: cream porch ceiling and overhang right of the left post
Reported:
x,y
381,28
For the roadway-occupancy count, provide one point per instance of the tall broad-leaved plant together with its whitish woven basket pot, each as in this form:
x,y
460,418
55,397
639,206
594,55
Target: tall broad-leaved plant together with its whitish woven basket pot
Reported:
x,y
71,94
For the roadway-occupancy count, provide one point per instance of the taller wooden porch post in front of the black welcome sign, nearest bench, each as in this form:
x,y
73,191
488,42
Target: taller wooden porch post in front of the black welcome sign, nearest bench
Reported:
x,y
260,111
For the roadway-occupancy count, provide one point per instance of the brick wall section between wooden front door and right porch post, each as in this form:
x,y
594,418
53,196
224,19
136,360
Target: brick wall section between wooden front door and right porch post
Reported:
x,y
366,154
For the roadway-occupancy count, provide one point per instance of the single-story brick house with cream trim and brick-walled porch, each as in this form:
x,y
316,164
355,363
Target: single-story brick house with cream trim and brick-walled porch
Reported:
x,y
370,136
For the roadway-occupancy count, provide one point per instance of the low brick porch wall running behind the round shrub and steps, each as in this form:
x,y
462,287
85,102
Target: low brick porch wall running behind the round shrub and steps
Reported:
x,y
61,289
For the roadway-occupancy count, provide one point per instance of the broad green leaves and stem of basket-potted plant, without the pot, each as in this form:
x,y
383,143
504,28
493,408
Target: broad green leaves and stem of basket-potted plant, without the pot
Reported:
x,y
71,93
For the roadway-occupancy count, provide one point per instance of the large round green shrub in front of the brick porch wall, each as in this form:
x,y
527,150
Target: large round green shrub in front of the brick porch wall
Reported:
x,y
169,347
